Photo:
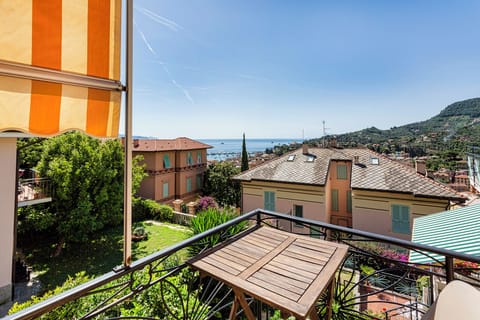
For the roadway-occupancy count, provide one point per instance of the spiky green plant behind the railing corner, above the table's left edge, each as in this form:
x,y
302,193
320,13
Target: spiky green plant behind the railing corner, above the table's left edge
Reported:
x,y
210,218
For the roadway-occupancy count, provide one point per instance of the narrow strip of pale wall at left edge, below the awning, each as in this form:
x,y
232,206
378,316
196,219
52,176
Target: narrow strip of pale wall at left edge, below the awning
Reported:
x,y
8,166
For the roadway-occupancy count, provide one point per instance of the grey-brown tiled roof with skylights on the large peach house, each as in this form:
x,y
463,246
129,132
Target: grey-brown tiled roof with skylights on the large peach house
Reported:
x,y
387,175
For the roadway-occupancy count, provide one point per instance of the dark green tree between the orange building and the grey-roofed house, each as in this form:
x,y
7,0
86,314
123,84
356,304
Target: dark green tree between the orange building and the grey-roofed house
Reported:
x,y
219,183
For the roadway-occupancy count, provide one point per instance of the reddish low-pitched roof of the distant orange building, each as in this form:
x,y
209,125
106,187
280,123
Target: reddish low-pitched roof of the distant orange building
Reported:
x,y
181,143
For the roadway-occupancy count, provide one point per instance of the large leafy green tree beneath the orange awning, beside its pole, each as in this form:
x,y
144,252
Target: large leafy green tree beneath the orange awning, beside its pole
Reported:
x,y
87,180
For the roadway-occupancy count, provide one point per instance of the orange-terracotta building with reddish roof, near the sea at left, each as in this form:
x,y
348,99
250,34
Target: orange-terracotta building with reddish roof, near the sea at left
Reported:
x,y
175,167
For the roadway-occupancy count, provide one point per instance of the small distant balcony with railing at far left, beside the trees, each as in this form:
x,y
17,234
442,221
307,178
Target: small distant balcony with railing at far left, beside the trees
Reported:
x,y
33,191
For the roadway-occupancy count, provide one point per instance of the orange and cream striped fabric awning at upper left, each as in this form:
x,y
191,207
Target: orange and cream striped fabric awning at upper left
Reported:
x,y
60,66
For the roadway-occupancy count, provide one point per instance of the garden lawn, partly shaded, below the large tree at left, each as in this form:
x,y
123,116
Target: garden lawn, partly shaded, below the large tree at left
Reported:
x,y
99,256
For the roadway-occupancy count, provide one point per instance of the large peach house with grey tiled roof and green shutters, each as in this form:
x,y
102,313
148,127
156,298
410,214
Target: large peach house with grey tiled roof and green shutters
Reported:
x,y
349,187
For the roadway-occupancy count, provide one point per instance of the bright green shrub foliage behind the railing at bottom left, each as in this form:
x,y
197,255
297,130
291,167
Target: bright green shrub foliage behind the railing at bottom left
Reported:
x,y
174,292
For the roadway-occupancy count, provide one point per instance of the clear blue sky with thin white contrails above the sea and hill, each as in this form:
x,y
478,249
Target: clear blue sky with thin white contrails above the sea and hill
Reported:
x,y
297,68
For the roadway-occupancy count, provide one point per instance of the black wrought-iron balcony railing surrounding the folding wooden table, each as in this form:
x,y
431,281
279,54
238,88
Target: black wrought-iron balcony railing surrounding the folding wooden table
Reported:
x,y
375,281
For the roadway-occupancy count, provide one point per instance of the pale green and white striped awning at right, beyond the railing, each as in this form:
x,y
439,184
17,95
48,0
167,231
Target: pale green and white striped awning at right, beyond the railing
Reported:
x,y
457,230
